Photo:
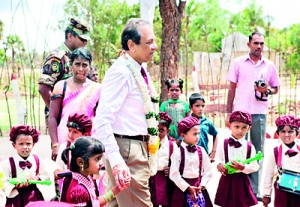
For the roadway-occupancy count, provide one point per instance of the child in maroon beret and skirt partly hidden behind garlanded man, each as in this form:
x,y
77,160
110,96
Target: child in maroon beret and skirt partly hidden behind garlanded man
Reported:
x,y
161,187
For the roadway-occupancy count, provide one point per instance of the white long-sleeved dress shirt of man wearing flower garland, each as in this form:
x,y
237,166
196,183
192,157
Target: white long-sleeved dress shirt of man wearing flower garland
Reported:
x,y
121,108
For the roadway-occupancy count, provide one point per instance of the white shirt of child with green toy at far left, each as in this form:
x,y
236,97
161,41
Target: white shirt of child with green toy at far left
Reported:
x,y
9,189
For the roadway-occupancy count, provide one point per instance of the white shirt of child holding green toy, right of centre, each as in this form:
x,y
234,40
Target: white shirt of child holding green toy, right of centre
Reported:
x,y
237,154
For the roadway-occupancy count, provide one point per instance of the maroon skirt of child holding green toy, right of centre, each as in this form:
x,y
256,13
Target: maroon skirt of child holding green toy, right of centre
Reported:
x,y
235,190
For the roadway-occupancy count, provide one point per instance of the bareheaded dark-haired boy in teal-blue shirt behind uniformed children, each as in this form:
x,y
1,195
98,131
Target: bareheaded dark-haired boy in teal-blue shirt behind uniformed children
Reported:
x,y
197,105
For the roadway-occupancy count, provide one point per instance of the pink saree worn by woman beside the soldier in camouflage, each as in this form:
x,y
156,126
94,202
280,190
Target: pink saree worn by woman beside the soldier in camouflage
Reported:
x,y
82,101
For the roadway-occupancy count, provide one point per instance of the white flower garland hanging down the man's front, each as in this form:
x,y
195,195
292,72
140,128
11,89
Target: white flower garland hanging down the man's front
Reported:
x,y
150,98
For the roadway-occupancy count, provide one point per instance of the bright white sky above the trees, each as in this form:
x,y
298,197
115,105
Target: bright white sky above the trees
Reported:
x,y
36,21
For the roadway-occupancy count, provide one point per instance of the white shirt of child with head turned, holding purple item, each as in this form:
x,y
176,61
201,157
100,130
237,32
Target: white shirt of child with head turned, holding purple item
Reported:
x,y
191,167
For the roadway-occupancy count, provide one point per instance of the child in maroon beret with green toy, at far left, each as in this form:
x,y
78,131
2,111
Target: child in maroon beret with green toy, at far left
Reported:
x,y
23,165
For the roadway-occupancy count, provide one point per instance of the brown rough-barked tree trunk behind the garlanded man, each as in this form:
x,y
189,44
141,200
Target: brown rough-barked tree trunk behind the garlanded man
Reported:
x,y
171,15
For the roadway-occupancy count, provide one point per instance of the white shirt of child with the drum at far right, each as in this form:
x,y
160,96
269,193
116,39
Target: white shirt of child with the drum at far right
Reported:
x,y
270,167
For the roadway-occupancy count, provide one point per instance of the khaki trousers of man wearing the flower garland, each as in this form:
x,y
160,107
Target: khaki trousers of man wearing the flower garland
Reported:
x,y
135,155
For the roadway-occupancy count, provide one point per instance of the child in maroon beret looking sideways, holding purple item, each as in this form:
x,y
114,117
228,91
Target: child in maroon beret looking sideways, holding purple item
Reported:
x,y
190,166
